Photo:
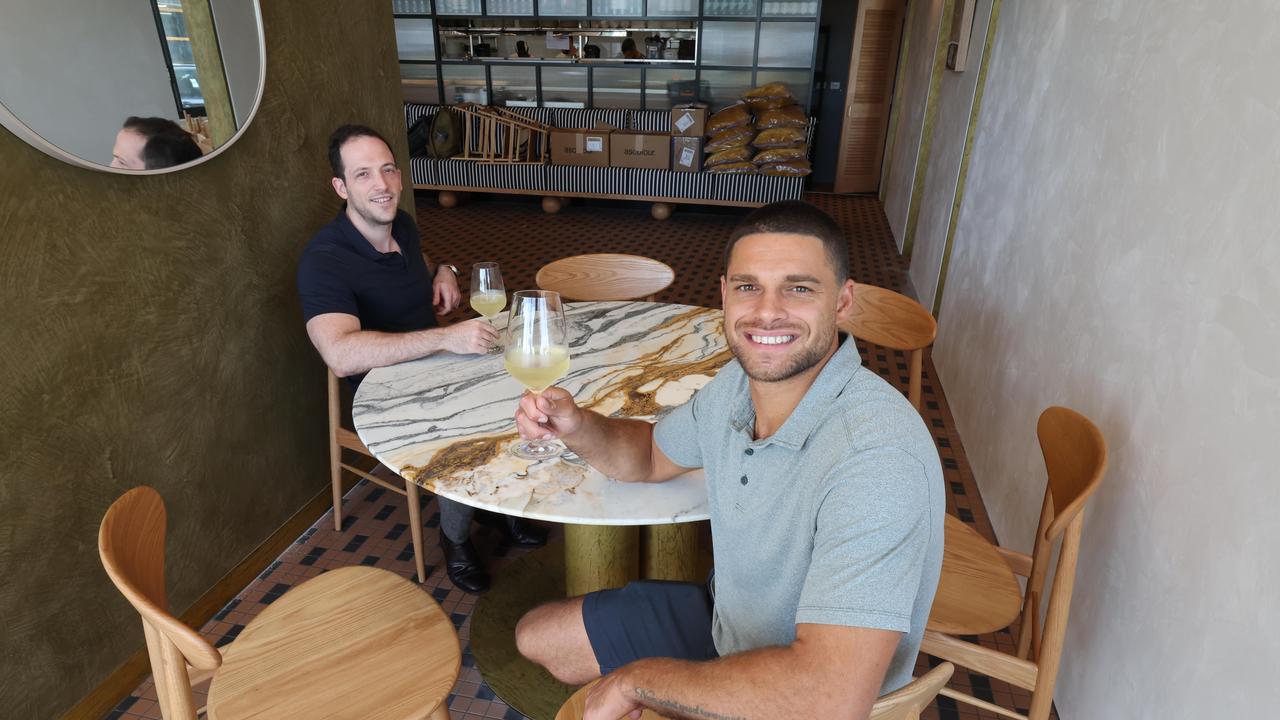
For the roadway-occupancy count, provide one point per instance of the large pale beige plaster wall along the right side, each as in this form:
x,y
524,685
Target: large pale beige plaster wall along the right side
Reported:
x,y
1117,253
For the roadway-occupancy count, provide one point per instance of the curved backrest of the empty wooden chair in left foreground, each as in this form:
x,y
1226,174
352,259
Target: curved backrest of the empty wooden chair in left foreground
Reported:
x,y
131,545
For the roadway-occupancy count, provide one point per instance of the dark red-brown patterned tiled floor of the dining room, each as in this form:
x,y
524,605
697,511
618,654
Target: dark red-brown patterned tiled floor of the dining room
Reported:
x,y
516,234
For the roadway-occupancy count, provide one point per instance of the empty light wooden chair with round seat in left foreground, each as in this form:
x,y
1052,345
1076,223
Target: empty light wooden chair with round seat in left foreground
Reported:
x,y
318,651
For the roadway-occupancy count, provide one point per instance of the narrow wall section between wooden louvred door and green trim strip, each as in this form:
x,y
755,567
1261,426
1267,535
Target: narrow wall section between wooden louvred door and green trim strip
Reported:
x,y
921,35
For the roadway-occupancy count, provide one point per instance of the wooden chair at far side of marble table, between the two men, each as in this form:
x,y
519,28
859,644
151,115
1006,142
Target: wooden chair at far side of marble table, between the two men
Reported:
x,y
607,276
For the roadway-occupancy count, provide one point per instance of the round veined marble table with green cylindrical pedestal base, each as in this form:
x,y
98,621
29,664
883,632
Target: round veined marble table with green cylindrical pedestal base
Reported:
x,y
446,423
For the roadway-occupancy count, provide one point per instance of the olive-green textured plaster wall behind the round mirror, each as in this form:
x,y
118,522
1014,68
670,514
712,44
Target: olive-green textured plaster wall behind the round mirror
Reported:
x,y
152,335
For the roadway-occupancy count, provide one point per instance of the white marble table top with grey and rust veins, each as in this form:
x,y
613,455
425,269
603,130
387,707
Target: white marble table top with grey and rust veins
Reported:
x,y
446,422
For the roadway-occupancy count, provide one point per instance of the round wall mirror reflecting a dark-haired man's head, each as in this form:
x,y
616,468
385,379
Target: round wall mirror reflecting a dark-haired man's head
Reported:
x,y
131,86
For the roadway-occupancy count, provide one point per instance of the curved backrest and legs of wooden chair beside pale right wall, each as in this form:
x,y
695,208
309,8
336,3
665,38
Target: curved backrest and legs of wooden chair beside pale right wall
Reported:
x,y
1076,458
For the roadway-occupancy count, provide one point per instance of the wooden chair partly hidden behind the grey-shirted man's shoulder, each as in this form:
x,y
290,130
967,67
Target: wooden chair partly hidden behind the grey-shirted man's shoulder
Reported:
x,y
897,322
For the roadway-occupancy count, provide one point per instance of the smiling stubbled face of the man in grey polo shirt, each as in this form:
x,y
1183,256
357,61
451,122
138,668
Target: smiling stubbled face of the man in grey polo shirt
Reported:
x,y
781,304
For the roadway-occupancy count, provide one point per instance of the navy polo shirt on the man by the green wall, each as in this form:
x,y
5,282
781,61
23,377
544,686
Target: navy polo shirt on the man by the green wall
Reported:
x,y
341,272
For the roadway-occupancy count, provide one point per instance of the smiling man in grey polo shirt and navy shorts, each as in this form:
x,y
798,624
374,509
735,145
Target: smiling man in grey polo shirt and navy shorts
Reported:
x,y
826,502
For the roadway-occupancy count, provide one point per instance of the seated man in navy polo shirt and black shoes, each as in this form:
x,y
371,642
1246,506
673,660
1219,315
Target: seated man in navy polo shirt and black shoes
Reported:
x,y
369,300
